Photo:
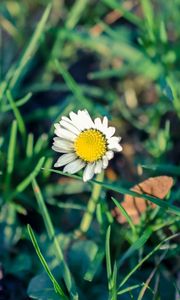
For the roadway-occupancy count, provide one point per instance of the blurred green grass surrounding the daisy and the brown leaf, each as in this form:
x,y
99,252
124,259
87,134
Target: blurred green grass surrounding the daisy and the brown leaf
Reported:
x,y
58,236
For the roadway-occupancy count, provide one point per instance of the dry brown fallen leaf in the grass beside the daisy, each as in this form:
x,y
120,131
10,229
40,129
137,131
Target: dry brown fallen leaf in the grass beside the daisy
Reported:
x,y
155,186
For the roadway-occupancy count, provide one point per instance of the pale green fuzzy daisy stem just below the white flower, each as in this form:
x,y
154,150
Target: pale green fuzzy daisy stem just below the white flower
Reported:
x,y
91,207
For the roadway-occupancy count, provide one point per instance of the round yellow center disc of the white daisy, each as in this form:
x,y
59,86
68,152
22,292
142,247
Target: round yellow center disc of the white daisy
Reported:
x,y
90,145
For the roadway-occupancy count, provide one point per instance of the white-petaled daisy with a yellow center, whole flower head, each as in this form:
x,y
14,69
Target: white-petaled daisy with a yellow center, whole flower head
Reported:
x,y
84,143
